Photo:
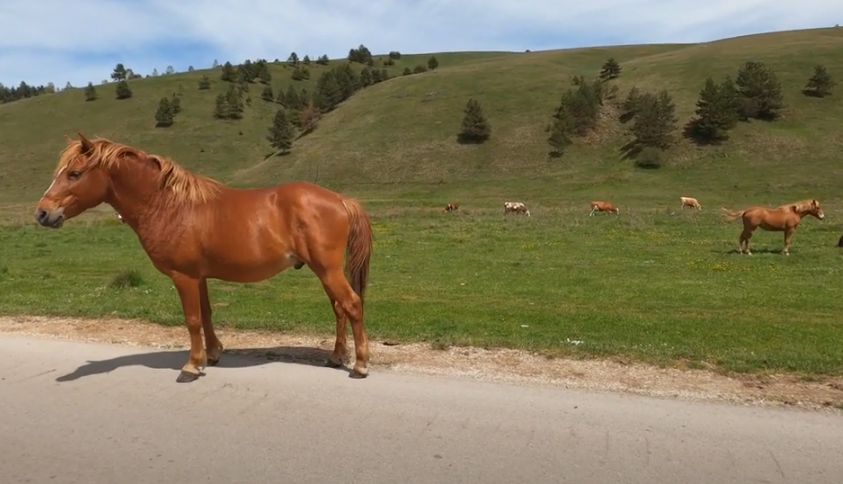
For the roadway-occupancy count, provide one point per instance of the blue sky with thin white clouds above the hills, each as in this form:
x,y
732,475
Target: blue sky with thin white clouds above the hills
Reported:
x,y
56,41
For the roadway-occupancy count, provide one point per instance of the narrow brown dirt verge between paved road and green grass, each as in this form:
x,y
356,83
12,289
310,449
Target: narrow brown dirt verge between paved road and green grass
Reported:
x,y
494,365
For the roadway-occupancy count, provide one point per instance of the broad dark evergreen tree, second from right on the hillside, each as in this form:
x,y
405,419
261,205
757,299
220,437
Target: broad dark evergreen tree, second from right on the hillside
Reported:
x,y
760,91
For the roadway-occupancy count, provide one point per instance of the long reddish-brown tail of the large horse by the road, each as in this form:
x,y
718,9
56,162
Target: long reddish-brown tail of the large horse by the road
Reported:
x,y
358,250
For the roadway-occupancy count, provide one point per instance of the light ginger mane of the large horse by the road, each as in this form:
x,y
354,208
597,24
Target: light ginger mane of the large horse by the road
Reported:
x,y
185,186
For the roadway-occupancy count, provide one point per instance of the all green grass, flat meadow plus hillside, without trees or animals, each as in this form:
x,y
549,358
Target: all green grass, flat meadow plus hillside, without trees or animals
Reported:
x,y
653,284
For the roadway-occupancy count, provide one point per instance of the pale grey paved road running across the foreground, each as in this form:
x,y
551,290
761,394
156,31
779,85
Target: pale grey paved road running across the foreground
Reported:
x,y
123,419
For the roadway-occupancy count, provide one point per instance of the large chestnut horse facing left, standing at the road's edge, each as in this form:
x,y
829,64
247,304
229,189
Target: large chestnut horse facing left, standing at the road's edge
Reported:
x,y
194,228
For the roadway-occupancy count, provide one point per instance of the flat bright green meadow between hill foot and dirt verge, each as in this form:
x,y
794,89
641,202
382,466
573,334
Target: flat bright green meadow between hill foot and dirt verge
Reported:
x,y
649,286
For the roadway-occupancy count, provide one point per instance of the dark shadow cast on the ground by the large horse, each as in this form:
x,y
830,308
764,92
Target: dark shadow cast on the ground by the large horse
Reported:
x,y
234,358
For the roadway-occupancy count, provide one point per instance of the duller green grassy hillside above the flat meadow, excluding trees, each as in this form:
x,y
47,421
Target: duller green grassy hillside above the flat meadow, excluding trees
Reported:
x,y
400,136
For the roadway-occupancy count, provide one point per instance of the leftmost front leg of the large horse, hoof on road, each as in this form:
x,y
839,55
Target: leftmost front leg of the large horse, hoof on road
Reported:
x,y
189,294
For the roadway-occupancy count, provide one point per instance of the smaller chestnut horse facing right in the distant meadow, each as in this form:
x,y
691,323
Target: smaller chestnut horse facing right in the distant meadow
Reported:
x,y
784,218
